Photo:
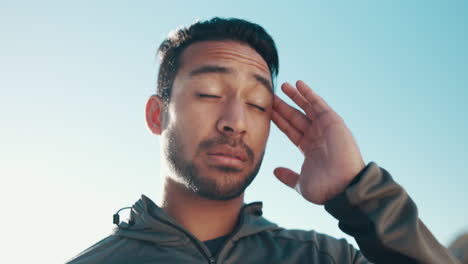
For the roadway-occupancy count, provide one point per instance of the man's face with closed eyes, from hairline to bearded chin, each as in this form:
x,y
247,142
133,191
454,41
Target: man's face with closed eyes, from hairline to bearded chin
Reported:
x,y
218,118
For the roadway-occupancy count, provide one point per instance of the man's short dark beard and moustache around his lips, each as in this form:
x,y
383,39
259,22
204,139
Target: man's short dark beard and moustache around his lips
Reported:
x,y
227,185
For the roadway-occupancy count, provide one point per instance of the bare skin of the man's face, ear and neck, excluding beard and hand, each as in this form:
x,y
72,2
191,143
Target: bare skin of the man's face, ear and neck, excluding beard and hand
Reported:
x,y
234,114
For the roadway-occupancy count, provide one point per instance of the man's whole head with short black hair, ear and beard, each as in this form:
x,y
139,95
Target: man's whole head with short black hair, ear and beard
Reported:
x,y
214,102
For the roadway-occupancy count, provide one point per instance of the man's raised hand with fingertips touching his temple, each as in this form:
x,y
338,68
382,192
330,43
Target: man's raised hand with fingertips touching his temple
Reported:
x,y
331,156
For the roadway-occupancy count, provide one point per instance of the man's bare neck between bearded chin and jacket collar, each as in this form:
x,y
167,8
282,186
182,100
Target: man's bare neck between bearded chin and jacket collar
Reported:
x,y
205,219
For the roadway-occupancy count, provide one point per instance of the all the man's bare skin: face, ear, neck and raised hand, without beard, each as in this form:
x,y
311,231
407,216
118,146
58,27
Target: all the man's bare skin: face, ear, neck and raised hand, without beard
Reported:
x,y
241,111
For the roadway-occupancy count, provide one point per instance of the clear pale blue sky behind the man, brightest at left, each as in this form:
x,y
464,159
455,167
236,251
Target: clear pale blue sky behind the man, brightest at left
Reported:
x,y
75,76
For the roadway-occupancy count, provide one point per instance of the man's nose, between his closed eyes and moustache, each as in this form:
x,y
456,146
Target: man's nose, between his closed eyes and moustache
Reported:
x,y
233,120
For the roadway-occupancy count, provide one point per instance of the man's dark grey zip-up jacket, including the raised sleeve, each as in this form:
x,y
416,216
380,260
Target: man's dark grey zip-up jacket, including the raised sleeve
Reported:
x,y
373,209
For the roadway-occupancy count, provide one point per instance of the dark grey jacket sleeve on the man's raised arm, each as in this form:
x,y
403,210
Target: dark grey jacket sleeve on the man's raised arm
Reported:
x,y
384,221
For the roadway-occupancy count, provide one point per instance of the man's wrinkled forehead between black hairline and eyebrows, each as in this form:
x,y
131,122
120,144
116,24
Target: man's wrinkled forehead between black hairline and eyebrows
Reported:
x,y
225,51
